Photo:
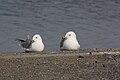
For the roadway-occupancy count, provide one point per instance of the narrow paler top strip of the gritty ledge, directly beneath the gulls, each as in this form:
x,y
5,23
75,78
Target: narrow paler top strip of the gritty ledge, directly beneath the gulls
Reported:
x,y
82,52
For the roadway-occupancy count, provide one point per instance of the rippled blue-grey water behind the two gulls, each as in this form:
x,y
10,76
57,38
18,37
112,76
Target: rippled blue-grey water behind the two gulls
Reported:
x,y
96,22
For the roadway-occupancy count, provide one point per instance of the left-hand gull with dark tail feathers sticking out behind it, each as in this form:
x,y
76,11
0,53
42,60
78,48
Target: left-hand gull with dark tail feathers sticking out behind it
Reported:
x,y
34,44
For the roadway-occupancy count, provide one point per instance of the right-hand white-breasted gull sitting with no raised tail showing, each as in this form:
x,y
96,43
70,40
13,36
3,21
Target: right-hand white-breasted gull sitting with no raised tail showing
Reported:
x,y
69,42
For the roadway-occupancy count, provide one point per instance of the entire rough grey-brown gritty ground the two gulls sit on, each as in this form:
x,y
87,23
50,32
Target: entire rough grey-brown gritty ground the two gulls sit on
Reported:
x,y
86,64
